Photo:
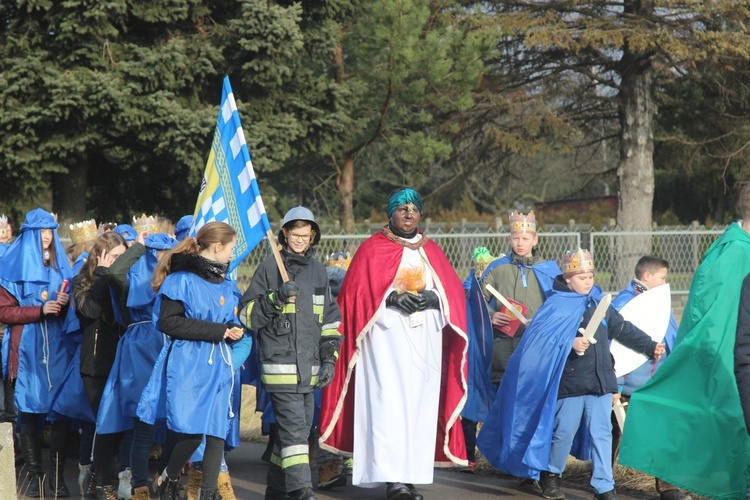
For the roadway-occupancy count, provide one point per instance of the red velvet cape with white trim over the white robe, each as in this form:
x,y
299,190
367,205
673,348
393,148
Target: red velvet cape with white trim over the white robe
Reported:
x,y
369,278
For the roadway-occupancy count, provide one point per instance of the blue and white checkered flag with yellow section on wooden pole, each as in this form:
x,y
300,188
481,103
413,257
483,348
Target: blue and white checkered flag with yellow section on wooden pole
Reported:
x,y
229,191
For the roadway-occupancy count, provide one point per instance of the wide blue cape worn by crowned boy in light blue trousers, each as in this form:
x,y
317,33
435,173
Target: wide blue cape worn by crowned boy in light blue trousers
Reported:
x,y
517,434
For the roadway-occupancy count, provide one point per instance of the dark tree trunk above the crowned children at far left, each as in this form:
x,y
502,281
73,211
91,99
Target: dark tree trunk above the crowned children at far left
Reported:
x,y
69,193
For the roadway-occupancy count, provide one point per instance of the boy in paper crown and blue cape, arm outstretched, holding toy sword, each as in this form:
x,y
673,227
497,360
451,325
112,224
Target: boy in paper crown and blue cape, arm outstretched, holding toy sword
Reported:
x,y
557,381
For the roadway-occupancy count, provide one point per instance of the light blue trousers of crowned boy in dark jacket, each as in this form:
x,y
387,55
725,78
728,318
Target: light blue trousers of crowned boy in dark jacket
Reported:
x,y
593,412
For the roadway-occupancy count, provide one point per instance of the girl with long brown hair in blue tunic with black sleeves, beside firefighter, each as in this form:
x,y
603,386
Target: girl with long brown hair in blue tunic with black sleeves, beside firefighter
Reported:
x,y
196,306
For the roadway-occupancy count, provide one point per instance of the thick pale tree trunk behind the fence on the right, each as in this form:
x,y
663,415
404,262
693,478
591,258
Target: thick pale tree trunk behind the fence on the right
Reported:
x,y
636,169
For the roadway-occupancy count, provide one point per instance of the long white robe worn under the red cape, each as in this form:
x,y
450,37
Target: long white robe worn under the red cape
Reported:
x,y
397,394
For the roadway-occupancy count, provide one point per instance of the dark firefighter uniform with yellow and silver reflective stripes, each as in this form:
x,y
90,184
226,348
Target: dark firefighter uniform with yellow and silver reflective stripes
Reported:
x,y
294,338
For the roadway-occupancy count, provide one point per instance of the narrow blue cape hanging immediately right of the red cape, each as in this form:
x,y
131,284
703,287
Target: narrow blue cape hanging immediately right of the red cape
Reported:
x,y
481,392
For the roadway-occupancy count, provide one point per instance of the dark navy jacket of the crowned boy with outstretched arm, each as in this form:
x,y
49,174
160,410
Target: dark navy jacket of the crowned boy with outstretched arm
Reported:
x,y
593,372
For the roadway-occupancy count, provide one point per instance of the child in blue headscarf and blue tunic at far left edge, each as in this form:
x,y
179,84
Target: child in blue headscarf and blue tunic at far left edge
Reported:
x,y
35,352
